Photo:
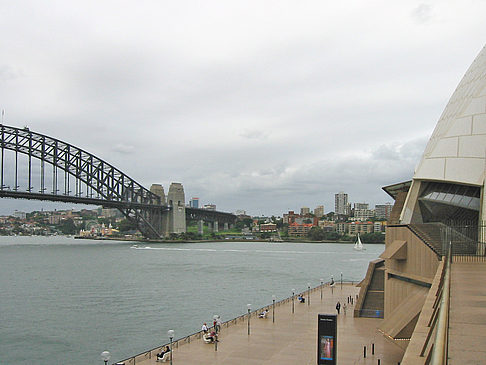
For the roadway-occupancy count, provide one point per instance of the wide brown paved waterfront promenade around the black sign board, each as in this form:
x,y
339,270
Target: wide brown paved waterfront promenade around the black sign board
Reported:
x,y
292,339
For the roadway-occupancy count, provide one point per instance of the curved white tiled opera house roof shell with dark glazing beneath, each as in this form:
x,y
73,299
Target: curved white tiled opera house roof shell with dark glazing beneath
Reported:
x,y
449,181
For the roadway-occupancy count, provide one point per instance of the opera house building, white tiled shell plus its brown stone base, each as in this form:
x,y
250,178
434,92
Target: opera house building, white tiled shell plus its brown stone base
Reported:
x,y
441,207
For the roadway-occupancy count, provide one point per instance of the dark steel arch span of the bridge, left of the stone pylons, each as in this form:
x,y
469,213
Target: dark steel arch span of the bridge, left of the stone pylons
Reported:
x,y
69,174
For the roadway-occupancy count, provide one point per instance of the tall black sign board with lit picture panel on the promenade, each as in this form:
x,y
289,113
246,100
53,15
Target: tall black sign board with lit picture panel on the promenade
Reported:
x,y
327,339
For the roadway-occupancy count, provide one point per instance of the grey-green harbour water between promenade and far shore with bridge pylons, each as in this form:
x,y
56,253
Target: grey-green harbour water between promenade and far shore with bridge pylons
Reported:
x,y
65,301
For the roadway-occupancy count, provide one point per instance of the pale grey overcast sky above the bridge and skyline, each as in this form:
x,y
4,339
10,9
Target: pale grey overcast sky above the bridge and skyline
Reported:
x,y
265,106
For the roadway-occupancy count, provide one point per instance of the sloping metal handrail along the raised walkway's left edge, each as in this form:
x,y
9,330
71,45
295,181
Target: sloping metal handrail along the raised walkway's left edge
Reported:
x,y
440,349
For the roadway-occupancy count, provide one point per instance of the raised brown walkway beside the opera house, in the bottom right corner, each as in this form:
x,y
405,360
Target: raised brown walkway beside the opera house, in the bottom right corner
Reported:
x,y
467,322
